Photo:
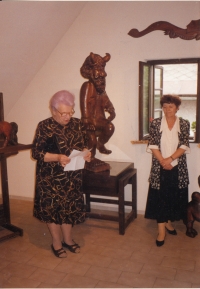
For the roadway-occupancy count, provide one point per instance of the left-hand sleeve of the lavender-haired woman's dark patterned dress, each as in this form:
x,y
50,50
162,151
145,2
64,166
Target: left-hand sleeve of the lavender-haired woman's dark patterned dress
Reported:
x,y
39,144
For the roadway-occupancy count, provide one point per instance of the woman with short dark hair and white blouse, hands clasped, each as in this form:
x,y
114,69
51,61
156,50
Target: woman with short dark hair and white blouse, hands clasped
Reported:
x,y
168,190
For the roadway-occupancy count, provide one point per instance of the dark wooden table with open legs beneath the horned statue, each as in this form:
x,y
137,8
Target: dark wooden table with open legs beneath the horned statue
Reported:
x,y
111,183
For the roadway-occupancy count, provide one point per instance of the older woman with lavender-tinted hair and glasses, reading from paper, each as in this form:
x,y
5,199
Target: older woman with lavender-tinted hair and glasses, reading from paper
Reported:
x,y
58,195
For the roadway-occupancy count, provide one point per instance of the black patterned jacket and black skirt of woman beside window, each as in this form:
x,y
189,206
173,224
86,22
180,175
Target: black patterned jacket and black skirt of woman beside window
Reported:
x,y
168,189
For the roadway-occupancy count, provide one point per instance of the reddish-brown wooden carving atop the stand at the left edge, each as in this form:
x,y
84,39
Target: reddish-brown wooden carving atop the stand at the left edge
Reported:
x,y
9,132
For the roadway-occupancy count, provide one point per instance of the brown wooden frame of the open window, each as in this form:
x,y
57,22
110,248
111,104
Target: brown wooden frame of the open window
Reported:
x,y
150,65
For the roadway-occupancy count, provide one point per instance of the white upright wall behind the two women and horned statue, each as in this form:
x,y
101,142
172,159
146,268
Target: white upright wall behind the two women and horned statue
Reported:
x,y
102,27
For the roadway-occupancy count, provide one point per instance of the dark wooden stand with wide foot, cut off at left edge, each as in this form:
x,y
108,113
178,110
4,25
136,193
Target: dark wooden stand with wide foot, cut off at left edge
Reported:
x,y
7,230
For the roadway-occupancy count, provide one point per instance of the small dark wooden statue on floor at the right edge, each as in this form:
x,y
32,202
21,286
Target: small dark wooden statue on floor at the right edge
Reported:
x,y
193,213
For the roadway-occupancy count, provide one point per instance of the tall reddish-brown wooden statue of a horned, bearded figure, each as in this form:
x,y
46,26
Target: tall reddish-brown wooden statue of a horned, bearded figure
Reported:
x,y
94,102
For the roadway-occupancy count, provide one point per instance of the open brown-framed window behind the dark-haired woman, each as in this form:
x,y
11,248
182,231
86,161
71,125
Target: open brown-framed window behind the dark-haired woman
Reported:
x,y
175,76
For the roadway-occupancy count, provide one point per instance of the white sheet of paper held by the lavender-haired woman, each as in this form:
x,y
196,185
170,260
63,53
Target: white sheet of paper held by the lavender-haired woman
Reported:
x,y
77,160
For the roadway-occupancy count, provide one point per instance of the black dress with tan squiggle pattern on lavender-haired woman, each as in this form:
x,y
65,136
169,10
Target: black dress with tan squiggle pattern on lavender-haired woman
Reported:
x,y
58,193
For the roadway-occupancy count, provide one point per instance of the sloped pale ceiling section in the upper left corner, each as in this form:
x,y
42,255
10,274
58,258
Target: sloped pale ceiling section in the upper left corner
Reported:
x,y
29,32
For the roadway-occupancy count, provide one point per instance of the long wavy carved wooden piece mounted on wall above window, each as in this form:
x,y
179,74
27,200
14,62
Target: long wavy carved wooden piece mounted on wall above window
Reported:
x,y
192,31
